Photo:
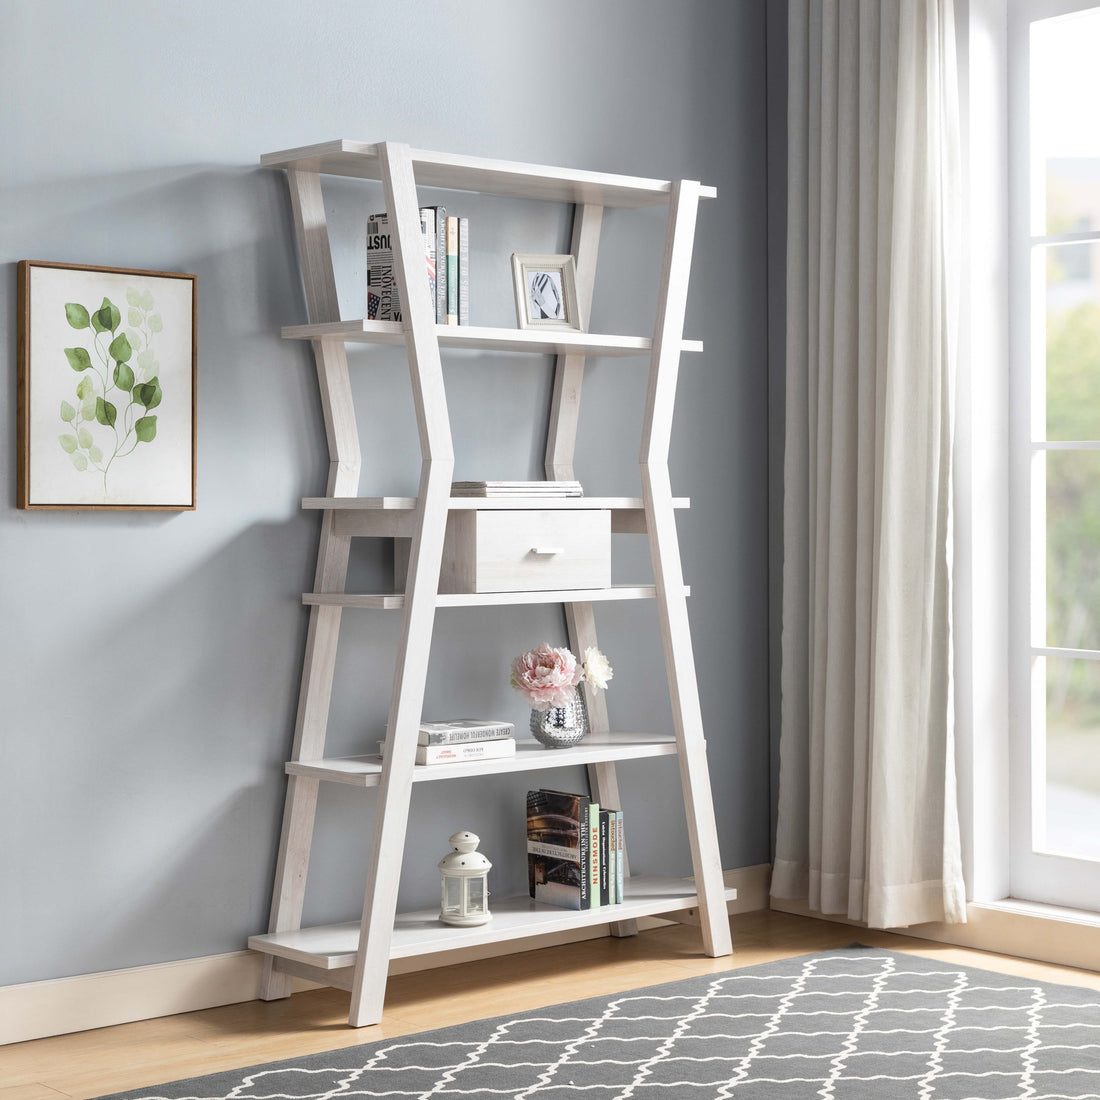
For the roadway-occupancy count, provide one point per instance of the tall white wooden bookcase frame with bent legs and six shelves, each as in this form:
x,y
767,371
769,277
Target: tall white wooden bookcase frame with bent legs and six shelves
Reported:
x,y
357,956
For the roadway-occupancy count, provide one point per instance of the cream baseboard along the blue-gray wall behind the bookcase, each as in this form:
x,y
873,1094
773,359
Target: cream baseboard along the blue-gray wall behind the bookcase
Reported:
x,y
116,997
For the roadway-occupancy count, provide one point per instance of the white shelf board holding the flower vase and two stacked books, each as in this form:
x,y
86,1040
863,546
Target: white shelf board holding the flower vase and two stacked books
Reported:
x,y
531,756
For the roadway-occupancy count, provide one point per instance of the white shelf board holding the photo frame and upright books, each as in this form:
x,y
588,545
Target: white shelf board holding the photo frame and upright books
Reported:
x,y
538,342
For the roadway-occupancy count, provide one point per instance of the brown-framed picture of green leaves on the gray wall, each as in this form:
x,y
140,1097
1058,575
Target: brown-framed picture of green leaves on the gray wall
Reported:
x,y
107,367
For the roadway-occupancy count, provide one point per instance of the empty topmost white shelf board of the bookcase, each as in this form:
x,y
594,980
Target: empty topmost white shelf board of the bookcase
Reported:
x,y
481,174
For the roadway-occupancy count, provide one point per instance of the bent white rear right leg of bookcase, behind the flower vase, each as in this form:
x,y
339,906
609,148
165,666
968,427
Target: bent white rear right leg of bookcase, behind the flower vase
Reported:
x,y
562,444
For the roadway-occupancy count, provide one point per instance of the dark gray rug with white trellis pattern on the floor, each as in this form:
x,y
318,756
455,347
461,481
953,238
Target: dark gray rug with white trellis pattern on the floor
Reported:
x,y
853,1025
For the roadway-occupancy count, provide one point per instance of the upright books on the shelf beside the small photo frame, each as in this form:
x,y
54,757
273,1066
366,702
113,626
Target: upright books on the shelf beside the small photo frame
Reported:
x,y
447,257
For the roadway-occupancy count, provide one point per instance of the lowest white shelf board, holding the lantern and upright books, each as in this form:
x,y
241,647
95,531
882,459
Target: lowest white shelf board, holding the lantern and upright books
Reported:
x,y
334,947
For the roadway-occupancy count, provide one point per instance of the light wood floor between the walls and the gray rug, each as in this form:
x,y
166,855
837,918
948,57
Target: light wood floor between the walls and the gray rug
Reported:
x,y
129,1057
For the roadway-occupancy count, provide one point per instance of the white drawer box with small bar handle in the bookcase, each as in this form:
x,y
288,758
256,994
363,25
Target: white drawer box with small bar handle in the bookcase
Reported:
x,y
502,551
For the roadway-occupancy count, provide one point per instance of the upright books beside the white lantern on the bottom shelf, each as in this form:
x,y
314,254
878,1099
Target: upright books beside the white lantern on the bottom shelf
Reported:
x,y
575,851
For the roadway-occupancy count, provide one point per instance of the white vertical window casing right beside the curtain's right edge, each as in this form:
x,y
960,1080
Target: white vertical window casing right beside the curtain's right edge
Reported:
x,y
982,578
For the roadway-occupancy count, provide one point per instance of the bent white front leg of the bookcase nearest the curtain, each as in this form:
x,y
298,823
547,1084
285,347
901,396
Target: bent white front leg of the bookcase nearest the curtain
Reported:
x,y
668,574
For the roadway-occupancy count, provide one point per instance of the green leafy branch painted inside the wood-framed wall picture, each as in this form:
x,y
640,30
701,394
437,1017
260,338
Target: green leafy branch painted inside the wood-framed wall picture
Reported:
x,y
118,387
